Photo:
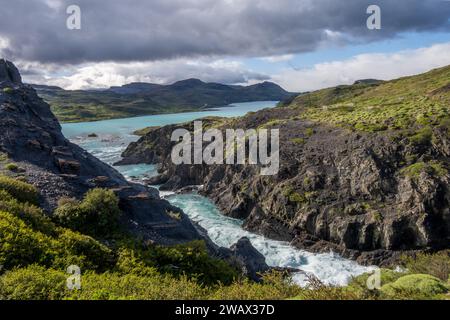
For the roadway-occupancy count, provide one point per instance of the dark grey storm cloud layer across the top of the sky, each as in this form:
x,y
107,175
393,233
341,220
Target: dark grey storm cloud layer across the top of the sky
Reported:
x,y
139,30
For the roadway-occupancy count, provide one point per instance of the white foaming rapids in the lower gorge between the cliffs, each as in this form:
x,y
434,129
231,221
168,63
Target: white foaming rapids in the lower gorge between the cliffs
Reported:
x,y
224,231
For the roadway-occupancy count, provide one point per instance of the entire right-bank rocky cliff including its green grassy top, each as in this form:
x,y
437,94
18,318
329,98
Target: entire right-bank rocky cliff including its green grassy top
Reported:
x,y
368,189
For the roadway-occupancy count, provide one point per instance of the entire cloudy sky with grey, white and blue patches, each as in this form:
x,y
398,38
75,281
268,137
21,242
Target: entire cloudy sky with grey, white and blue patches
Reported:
x,y
302,45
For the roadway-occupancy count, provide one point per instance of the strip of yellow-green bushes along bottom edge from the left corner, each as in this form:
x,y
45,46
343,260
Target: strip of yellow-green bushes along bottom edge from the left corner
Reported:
x,y
36,282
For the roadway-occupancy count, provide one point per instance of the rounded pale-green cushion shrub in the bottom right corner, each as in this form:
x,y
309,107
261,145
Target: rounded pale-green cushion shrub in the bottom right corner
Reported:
x,y
414,286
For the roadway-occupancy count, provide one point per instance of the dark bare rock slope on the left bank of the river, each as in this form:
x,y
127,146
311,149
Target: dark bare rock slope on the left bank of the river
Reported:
x,y
31,136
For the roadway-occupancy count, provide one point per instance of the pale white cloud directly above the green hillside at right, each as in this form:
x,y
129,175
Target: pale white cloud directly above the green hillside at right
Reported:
x,y
381,66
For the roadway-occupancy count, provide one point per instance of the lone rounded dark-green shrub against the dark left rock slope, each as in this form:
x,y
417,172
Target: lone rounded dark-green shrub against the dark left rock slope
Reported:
x,y
96,215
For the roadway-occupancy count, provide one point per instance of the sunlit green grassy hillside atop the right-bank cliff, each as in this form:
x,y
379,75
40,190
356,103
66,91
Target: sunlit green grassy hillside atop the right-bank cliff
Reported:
x,y
399,104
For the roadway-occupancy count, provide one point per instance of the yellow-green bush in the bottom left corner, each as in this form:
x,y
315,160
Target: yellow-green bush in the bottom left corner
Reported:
x,y
33,283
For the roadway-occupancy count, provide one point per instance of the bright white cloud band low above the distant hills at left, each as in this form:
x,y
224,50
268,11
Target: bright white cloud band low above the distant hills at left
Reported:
x,y
107,74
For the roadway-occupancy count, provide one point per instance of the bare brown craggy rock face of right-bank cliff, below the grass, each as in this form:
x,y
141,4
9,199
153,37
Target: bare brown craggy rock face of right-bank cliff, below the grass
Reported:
x,y
350,192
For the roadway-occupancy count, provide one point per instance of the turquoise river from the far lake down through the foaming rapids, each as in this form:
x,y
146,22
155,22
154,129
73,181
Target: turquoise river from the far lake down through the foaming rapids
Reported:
x,y
113,136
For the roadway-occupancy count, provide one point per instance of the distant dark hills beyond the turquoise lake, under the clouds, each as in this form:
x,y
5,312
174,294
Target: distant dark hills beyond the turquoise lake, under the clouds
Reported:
x,y
139,99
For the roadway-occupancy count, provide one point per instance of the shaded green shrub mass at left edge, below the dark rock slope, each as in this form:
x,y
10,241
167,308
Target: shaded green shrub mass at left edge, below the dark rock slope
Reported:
x,y
21,245
